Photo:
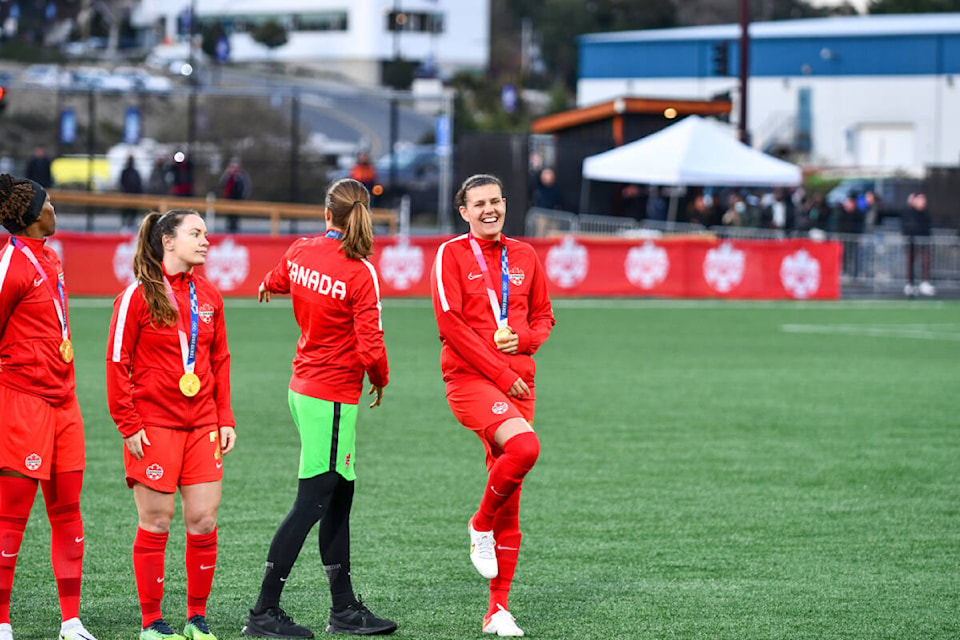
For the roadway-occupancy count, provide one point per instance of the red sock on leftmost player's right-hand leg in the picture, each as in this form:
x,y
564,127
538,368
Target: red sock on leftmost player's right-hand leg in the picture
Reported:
x,y
62,496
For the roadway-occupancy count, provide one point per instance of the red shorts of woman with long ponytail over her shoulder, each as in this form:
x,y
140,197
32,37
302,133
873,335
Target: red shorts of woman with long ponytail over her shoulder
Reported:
x,y
175,457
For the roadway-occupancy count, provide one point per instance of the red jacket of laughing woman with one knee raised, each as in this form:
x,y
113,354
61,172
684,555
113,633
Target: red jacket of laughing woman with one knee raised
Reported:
x,y
466,319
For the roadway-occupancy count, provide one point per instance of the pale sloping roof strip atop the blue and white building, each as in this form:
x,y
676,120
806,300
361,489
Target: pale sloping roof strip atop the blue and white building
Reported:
x,y
873,25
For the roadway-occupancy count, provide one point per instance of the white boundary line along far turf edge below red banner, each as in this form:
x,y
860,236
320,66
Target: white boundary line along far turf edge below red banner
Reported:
x,y
283,302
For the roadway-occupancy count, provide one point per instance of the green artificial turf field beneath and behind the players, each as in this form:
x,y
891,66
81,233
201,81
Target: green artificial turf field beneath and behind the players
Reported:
x,y
708,470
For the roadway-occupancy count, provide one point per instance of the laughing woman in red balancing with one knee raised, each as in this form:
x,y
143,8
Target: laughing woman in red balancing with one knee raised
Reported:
x,y
493,311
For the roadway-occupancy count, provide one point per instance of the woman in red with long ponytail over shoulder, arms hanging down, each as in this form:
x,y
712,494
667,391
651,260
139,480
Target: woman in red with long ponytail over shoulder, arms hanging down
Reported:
x,y
168,387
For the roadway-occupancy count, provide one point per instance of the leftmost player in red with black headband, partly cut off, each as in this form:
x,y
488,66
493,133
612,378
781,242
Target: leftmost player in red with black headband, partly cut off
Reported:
x,y
41,429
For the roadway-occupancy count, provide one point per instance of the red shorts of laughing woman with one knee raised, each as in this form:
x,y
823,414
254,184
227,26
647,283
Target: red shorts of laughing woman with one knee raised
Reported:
x,y
479,405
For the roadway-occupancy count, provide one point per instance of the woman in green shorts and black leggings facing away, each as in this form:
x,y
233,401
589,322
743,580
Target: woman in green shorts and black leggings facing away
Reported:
x,y
336,302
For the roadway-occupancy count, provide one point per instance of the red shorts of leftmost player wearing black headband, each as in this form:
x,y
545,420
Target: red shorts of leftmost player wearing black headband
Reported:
x,y
38,439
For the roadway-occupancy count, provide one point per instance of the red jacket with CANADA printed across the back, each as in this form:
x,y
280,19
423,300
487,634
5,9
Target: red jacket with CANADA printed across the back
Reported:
x,y
336,301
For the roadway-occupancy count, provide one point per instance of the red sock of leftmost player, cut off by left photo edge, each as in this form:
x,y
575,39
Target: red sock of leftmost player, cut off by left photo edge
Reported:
x,y
16,500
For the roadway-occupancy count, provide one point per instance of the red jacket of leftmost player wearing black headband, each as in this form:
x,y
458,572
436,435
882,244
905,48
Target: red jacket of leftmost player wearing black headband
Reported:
x,y
30,332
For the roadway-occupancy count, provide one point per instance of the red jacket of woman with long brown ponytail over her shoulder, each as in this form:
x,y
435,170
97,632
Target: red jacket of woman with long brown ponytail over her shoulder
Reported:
x,y
144,362
